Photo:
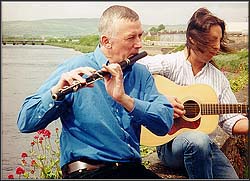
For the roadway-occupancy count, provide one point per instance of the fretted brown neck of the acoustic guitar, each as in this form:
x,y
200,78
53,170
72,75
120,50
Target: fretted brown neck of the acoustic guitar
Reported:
x,y
212,109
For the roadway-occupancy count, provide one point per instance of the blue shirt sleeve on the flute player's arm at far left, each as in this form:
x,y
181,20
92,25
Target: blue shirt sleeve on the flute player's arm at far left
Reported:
x,y
39,109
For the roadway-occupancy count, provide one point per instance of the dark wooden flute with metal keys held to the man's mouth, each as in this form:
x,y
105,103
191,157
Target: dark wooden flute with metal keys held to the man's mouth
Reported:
x,y
94,77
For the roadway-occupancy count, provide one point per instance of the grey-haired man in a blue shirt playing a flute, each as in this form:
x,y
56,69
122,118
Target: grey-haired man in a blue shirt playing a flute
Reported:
x,y
101,123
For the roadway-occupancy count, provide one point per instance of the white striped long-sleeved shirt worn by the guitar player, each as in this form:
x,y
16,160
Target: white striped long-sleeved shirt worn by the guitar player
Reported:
x,y
175,67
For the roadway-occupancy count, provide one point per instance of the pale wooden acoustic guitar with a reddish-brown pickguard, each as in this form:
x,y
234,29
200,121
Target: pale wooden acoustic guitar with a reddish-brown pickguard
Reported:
x,y
202,110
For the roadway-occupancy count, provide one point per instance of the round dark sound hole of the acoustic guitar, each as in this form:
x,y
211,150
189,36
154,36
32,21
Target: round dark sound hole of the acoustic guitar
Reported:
x,y
192,109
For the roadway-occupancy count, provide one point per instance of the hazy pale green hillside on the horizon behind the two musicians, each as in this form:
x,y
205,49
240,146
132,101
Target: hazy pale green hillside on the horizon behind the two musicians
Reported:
x,y
59,27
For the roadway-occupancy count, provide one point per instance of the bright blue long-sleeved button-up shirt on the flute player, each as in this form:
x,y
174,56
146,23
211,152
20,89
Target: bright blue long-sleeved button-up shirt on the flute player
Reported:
x,y
95,126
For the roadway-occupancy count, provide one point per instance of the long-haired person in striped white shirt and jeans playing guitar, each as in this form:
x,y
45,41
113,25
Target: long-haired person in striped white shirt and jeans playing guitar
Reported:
x,y
194,151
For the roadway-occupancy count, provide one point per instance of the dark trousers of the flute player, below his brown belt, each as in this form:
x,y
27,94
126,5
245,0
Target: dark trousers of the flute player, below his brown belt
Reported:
x,y
125,171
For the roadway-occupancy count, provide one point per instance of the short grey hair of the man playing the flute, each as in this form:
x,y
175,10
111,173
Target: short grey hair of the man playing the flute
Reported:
x,y
113,14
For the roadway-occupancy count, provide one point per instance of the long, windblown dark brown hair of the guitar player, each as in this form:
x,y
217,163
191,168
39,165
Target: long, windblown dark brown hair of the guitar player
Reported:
x,y
198,30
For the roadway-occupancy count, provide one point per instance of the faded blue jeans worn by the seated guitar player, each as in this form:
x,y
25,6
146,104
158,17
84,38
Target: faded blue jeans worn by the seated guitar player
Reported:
x,y
195,152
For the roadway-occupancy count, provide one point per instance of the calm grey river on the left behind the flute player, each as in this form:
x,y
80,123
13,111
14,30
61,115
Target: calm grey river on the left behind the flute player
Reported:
x,y
24,69
